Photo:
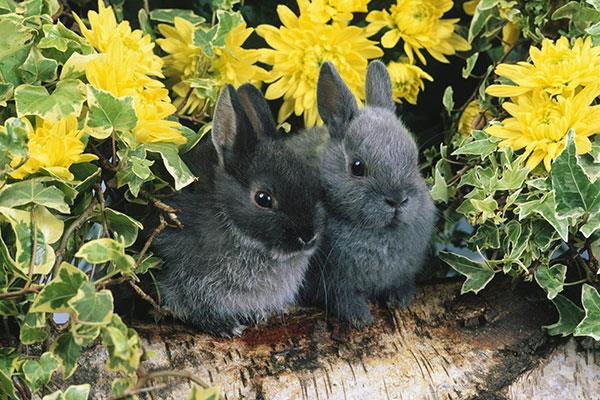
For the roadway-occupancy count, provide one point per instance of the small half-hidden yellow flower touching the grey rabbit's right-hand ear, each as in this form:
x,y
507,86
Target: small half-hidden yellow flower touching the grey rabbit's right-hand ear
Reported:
x,y
407,81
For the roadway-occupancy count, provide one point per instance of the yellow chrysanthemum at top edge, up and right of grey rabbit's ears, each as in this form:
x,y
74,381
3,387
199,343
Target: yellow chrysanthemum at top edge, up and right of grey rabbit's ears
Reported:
x,y
420,25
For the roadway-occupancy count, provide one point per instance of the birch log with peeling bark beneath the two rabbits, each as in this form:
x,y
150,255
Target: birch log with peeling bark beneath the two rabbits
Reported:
x,y
443,346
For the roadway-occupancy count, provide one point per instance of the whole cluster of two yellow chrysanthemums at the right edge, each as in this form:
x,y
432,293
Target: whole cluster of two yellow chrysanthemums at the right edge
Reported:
x,y
552,94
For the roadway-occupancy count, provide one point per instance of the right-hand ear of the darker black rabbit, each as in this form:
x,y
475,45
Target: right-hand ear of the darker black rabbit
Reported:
x,y
258,111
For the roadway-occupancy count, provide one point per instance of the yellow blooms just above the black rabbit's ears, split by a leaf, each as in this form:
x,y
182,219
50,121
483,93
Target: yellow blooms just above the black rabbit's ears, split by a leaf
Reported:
x,y
229,65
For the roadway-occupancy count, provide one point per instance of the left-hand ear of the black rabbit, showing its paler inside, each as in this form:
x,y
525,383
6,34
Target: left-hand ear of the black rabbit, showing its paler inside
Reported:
x,y
232,135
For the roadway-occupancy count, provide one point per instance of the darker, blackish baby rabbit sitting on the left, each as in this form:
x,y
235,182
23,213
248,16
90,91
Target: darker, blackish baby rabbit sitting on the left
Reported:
x,y
251,222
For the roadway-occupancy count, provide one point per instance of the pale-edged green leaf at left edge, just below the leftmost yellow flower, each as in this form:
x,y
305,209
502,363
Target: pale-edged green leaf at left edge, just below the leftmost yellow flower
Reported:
x,y
32,191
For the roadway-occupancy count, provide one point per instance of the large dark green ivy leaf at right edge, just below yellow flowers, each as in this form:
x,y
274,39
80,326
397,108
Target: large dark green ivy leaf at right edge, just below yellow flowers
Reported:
x,y
575,194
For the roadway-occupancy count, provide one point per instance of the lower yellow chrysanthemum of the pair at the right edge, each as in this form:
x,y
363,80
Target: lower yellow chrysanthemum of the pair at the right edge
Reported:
x,y
540,122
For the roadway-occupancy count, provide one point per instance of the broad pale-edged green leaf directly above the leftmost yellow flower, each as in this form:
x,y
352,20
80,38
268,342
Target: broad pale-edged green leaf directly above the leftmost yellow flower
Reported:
x,y
66,99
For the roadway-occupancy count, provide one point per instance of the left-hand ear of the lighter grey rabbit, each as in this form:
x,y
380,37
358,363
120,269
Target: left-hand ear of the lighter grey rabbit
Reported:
x,y
336,103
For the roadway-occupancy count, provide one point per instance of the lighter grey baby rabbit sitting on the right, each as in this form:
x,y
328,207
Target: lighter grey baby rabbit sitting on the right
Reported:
x,y
380,215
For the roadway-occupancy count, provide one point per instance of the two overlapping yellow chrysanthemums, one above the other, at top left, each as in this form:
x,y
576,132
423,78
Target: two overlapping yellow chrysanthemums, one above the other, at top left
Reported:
x,y
127,66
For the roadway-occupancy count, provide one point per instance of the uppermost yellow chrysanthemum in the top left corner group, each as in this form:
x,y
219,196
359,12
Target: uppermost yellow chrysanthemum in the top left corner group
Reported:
x,y
105,31
